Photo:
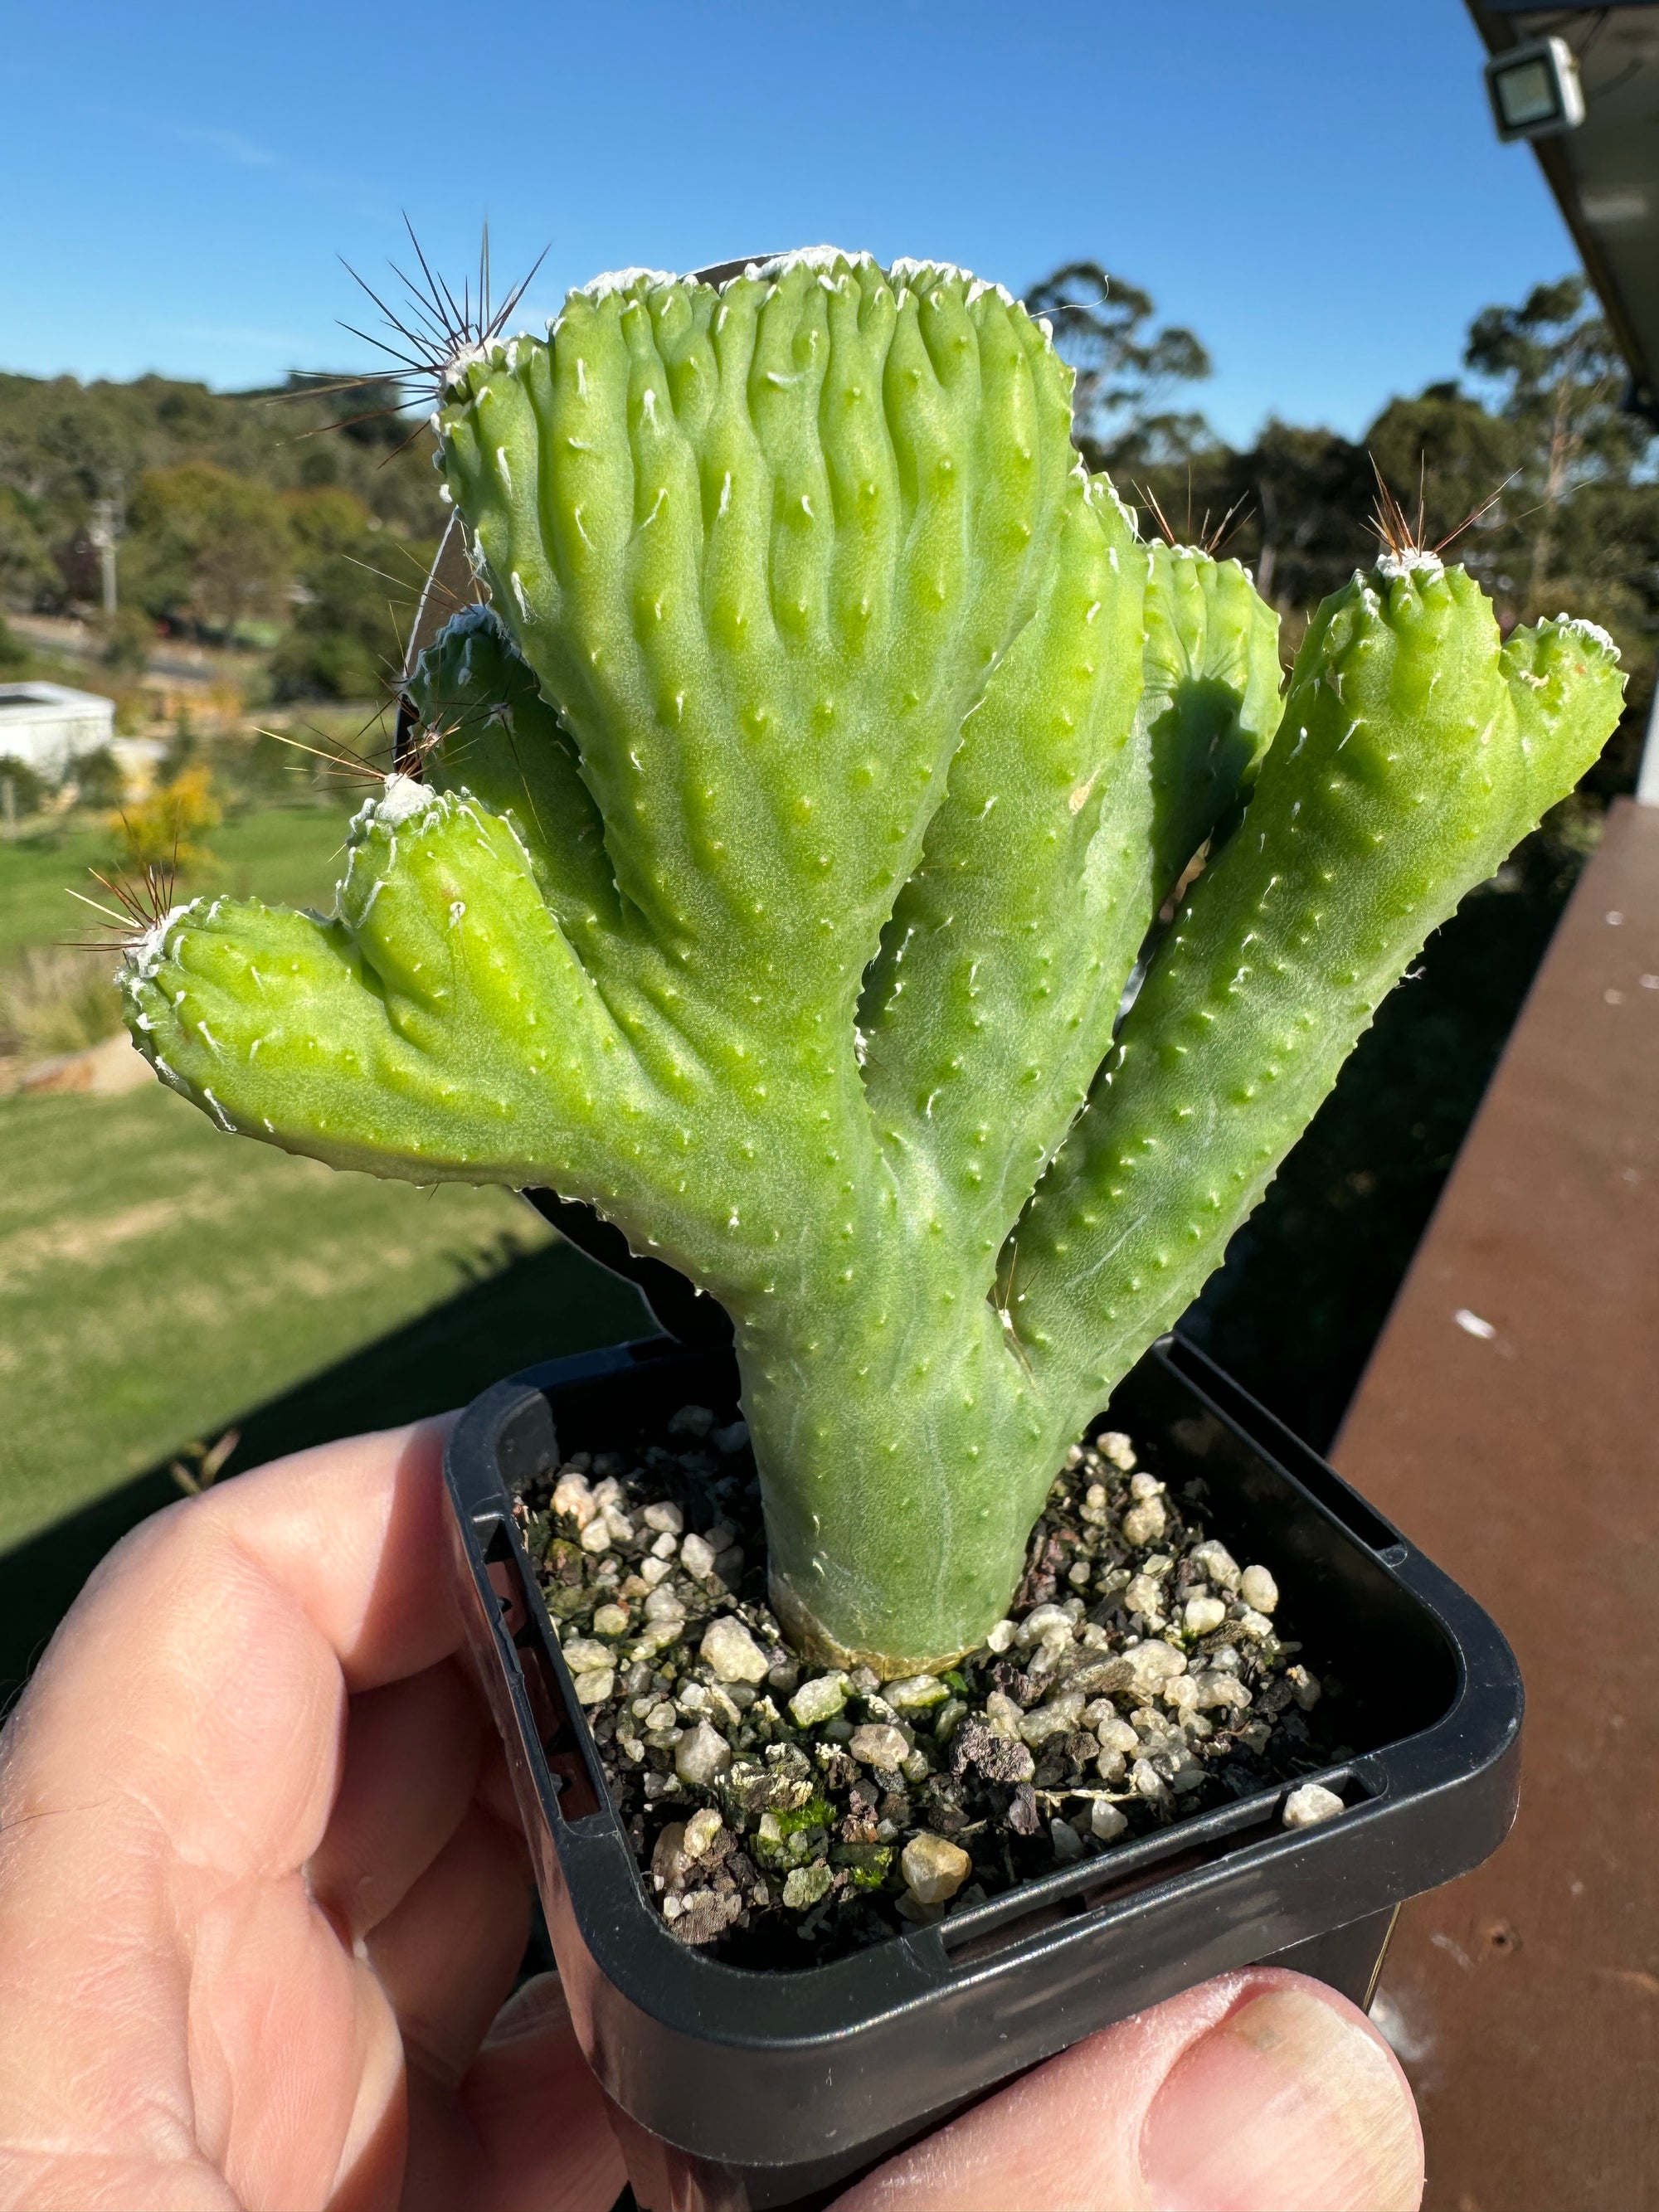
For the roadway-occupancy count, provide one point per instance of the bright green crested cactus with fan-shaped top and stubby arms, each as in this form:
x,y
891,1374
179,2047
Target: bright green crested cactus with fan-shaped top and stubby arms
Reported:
x,y
791,828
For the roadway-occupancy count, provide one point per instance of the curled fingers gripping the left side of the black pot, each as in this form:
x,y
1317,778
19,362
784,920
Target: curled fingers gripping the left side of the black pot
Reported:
x,y
262,1881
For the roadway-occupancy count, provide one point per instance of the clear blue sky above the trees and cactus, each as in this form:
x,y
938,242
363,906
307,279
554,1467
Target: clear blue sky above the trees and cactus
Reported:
x,y
1311,185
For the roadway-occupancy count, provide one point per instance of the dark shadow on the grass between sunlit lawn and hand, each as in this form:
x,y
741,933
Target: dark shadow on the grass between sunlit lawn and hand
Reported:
x,y
539,1308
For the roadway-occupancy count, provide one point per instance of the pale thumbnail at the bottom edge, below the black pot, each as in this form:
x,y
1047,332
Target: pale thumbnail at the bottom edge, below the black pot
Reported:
x,y
1284,2107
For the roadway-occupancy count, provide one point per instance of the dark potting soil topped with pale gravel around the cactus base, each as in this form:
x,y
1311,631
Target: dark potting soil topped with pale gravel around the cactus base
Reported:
x,y
786,1815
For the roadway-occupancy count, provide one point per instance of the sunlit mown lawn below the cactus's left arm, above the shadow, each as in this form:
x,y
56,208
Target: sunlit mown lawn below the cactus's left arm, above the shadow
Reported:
x,y
160,1280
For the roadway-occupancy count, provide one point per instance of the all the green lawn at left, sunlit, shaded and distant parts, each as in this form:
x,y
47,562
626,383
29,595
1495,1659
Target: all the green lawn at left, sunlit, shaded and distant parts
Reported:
x,y
163,1282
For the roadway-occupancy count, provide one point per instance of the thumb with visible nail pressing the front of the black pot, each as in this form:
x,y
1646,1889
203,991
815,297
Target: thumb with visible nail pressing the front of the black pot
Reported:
x,y
1255,2094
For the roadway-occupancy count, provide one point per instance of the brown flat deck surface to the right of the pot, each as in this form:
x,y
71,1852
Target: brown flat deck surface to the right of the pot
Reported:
x,y
1519,1446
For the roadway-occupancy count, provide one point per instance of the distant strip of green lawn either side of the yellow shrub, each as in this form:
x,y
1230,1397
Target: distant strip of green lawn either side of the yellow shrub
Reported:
x,y
280,855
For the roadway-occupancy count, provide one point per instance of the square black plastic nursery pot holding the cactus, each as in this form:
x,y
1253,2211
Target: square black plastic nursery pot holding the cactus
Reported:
x,y
782,2087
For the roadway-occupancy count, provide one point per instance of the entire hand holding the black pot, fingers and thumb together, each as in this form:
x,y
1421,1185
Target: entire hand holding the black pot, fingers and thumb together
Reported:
x,y
262,1897
